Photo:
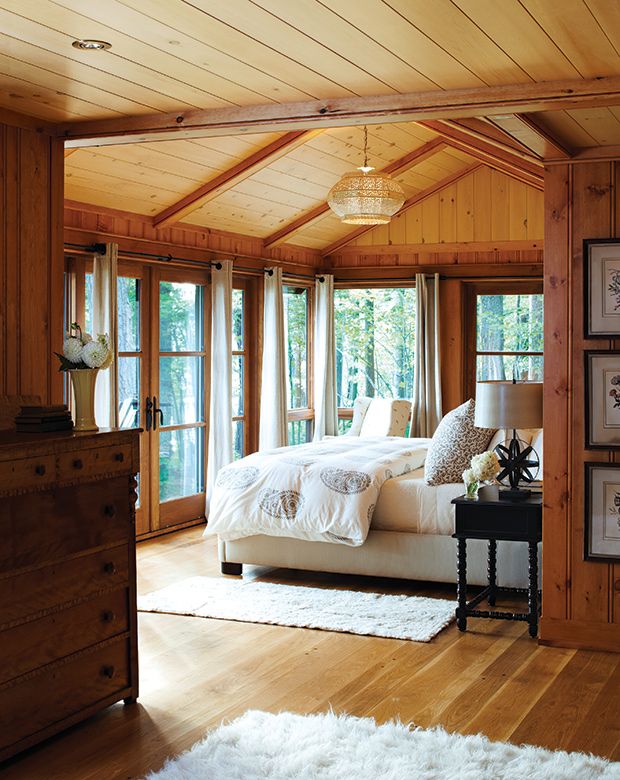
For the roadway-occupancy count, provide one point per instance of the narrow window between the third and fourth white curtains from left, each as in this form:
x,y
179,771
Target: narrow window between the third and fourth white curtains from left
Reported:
x,y
296,316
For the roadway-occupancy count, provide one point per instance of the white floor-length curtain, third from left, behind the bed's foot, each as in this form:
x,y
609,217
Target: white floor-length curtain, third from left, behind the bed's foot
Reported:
x,y
273,408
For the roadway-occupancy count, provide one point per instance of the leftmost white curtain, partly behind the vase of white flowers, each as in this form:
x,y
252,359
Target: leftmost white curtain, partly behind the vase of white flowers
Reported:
x,y
105,320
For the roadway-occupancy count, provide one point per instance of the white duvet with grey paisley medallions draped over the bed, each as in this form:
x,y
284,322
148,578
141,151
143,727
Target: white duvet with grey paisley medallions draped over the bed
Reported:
x,y
325,491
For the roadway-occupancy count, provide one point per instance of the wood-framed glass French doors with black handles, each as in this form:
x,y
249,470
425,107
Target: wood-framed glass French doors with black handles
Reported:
x,y
162,326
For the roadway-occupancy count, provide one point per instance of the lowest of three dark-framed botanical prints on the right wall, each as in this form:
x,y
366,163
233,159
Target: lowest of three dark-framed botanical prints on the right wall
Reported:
x,y
602,512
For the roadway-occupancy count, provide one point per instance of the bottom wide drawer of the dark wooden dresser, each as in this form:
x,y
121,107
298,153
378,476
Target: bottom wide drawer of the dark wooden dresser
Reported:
x,y
44,698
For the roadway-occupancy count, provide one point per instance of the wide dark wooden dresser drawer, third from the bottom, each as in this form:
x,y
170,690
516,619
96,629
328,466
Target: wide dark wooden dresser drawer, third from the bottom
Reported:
x,y
60,583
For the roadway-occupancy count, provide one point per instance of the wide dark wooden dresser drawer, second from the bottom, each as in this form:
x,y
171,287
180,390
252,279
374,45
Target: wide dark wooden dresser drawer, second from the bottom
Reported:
x,y
32,645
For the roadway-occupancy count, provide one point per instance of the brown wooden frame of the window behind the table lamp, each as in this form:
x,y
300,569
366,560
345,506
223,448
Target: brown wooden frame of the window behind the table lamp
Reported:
x,y
471,293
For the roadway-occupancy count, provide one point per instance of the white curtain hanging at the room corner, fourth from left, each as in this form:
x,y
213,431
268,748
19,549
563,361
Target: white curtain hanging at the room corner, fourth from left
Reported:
x,y
325,403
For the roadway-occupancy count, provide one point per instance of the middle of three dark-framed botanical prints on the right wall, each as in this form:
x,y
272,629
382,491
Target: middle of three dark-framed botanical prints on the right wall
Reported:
x,y
602,381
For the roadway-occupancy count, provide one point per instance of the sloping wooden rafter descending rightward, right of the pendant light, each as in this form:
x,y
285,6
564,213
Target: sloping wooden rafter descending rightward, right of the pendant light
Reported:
x,y
526,169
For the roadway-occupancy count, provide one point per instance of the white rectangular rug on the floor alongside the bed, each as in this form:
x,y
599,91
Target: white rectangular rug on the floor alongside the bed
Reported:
x,y
374,614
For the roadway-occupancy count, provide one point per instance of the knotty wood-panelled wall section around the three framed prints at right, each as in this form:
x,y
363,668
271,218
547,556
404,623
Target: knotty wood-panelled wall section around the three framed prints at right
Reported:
x,y
581,599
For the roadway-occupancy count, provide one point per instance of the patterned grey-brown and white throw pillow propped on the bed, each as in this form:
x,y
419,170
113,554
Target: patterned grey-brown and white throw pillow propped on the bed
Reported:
x,y
453,445
